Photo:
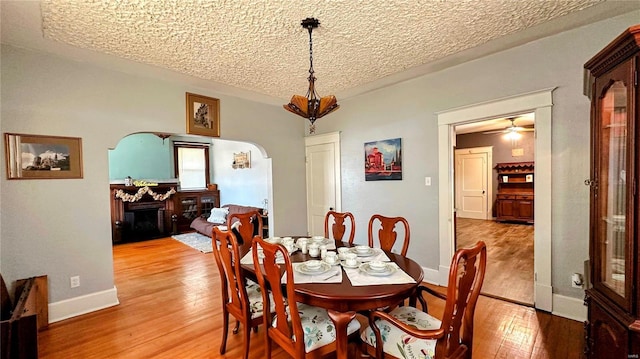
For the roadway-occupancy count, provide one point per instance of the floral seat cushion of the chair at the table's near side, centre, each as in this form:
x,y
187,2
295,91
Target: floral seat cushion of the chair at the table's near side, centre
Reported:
x,y
318,328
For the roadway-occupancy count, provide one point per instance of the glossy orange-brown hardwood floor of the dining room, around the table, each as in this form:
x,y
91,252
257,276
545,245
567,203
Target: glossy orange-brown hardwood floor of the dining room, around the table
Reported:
x,y
170,308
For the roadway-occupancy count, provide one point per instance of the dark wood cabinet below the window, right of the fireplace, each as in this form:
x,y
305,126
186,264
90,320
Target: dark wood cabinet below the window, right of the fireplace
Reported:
x,y
192,204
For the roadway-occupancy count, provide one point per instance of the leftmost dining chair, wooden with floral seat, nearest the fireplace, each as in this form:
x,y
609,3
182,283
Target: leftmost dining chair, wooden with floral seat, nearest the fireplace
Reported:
x,y
241,298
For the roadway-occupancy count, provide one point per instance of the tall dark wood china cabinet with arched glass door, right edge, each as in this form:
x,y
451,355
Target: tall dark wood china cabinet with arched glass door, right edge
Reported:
x,y
613,326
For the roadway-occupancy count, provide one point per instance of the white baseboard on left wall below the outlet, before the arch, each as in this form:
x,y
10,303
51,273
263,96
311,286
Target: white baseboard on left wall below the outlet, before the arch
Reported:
x,y
84,304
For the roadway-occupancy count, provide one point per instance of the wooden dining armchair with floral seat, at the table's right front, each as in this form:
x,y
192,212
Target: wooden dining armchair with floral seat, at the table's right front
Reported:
x,y
411,330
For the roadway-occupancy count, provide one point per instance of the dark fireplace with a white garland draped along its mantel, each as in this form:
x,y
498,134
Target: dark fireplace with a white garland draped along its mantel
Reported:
x,y
141,213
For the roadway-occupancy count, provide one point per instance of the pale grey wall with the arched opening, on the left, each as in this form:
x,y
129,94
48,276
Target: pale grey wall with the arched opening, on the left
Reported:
x,y
61,227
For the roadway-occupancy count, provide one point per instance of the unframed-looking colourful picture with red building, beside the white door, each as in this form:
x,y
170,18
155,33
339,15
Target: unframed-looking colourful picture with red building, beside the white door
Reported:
x,y
383,160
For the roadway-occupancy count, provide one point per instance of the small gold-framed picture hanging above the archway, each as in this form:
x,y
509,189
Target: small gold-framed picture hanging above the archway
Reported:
x,y
203,115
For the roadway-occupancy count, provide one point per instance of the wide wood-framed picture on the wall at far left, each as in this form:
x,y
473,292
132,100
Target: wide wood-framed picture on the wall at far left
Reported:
x,y
42,157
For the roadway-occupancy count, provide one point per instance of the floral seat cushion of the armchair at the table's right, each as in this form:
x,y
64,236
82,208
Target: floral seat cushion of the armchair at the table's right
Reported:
x,y
400,344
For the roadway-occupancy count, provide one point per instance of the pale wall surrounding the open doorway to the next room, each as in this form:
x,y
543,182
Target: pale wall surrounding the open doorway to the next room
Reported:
x,y
407,110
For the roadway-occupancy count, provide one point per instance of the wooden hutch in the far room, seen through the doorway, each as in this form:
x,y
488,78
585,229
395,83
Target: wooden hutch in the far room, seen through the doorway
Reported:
x,y
514,200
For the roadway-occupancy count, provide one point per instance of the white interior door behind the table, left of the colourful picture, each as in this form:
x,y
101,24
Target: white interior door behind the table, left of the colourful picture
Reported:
x,y
323,179
